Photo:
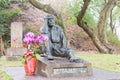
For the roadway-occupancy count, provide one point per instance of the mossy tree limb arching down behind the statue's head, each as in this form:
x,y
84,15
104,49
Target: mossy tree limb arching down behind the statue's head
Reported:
x,y
48,9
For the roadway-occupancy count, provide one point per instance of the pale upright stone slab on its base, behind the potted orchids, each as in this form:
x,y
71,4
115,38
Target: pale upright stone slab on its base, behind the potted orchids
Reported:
x,y
16,50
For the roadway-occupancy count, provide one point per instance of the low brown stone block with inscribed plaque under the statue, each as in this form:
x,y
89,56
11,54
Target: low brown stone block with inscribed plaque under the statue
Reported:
x,y
61,67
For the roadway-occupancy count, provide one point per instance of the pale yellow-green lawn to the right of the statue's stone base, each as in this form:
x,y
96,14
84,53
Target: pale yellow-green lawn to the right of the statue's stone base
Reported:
x,y
103,61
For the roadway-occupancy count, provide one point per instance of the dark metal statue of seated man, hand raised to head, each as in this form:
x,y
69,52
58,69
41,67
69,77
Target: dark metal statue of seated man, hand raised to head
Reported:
x,y
56,44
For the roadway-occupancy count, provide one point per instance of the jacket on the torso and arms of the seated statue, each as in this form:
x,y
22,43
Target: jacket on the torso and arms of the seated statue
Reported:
x,y
56,34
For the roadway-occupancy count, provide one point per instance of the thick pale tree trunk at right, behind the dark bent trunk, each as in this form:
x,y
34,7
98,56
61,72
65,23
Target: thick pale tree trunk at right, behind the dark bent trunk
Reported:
x,y
102,24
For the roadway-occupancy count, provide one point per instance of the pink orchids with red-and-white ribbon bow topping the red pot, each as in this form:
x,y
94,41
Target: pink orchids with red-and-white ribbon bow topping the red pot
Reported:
x,y
33,46
